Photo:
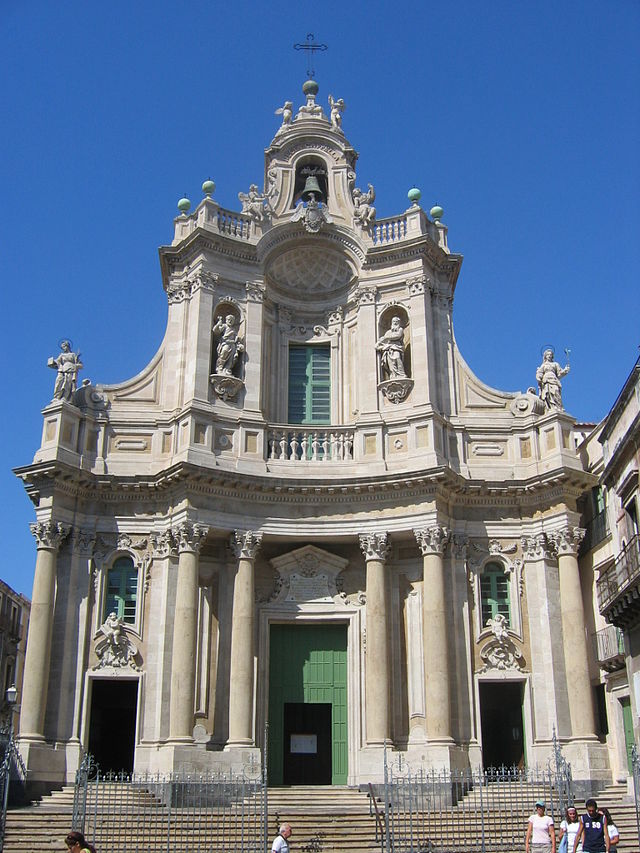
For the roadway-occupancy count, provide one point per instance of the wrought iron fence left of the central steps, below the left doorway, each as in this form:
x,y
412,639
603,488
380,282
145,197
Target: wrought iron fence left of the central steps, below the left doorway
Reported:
x,y
195,812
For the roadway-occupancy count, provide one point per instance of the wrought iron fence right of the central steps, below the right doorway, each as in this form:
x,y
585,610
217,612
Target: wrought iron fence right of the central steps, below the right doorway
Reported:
x,y
470,810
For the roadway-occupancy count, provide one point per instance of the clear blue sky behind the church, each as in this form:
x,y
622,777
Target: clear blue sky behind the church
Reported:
x,y
521,119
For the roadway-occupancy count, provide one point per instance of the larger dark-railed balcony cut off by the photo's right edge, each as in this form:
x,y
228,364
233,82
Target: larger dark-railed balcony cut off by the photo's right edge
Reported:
x,y
618,588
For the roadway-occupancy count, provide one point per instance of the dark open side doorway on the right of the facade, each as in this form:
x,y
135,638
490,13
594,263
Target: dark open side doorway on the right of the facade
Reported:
x,y
501,719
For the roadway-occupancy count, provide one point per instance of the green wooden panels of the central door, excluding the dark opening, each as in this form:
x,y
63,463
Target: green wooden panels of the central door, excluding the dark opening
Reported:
x,y
308,664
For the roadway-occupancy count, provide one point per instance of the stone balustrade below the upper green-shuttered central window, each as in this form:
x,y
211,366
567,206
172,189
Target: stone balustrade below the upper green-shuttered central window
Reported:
x,y
299,444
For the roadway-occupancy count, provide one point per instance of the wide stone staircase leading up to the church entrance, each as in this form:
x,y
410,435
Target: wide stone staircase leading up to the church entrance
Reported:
x,y
324,819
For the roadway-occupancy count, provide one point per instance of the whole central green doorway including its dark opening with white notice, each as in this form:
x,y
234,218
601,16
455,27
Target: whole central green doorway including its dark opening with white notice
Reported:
x,y
308,705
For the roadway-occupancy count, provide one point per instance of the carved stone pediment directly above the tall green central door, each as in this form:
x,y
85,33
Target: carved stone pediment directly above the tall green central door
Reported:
x,y
307,576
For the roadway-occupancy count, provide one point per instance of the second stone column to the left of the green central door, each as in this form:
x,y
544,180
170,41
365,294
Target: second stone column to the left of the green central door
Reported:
x,y
189,539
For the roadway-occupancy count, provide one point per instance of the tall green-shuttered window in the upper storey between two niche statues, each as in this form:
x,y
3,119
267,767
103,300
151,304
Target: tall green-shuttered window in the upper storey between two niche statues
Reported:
x,y
309,384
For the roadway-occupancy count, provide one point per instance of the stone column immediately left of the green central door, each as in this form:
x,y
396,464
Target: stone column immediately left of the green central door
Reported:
x,y
245,545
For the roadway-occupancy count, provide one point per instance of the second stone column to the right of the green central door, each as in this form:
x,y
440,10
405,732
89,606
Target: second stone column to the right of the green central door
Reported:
x,y
432,542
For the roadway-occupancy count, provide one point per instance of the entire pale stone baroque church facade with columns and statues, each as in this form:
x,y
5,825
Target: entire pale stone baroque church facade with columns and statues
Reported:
x,y
306,526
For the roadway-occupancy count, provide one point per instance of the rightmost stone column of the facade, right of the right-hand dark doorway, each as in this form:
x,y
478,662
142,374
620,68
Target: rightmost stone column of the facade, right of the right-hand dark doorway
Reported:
x,y
574,637
